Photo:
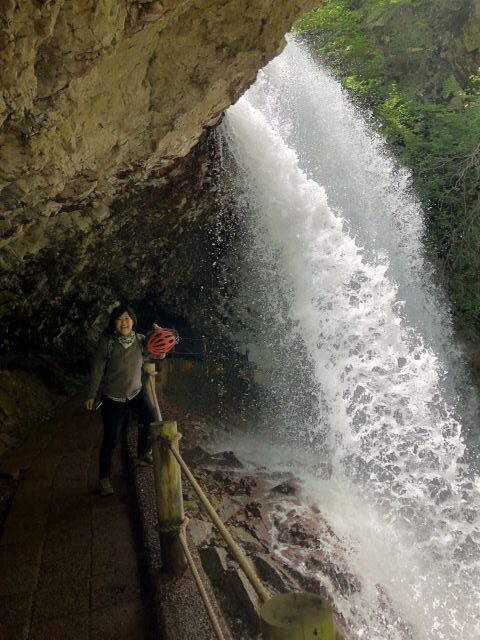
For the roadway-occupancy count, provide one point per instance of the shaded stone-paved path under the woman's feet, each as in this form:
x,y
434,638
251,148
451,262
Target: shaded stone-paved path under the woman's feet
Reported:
x,y
68,558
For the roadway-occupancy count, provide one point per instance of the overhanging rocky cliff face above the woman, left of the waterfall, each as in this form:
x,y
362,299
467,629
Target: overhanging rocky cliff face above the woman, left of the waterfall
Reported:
x,y
101,104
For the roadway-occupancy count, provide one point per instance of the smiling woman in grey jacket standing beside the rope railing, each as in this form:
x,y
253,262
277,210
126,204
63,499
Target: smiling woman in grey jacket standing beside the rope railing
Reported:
x,y
116,378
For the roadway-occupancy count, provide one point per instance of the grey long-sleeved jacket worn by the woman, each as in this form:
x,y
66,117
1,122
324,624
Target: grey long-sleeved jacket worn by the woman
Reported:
x,y
116,371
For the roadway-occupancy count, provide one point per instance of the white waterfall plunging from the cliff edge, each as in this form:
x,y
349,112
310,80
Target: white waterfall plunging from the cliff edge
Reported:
x,y
347,235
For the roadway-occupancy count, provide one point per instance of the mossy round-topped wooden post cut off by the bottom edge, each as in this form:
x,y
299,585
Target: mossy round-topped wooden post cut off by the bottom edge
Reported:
x,y
297,616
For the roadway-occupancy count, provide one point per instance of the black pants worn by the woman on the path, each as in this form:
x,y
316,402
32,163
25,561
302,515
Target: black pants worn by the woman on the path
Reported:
x,y
114,415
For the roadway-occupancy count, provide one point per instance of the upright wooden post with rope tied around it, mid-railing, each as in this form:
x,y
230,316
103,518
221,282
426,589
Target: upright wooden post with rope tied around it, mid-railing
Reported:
x,y
168,490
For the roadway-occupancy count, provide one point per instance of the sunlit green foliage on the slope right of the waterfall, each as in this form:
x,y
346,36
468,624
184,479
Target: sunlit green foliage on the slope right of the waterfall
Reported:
x,y
437,136
